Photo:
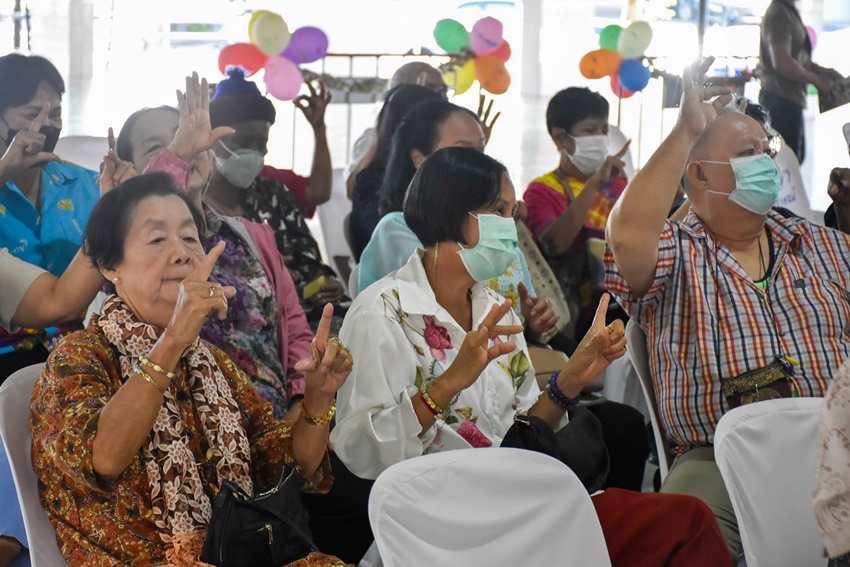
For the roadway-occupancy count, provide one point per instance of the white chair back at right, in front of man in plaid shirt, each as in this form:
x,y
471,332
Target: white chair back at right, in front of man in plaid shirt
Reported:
x,y
767,454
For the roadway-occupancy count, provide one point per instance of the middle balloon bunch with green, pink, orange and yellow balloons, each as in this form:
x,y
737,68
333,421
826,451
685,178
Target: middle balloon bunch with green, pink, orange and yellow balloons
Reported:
x,y
480,54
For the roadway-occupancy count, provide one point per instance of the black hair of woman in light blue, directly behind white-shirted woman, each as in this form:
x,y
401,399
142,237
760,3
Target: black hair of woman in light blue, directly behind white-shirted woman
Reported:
x,y
419,130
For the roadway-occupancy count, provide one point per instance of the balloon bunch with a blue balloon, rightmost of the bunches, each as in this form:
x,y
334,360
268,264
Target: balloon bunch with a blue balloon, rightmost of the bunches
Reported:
x,y
621,57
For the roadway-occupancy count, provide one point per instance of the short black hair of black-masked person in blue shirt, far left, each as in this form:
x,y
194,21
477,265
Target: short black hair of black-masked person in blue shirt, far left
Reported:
x,y
21,76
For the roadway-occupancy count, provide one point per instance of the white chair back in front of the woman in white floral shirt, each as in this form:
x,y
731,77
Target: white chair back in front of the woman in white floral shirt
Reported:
x,y
485,507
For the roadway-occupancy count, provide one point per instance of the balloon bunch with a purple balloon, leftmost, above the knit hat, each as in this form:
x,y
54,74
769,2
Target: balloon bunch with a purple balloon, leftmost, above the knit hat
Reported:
x,y
277,51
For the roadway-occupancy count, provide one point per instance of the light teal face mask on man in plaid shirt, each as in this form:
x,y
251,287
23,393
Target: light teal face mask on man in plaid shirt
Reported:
x,y
757,182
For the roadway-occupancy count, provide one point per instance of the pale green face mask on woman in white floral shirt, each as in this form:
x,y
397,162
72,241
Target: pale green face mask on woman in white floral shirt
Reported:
x,y
497,244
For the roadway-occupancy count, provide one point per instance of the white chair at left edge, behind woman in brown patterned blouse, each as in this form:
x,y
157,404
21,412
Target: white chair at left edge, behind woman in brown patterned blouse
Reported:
x,y
15,396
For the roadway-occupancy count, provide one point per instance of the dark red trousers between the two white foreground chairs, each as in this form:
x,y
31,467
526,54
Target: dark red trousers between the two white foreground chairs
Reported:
x,y
649,530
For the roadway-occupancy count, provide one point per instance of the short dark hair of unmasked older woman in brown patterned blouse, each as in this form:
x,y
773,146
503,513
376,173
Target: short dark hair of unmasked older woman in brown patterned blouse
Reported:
x,y
111,218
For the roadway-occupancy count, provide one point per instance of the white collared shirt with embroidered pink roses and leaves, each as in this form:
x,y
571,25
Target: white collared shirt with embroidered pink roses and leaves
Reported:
x,y
401,338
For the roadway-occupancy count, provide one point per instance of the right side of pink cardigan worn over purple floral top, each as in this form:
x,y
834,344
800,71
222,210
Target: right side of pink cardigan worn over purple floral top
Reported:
x,y
295,337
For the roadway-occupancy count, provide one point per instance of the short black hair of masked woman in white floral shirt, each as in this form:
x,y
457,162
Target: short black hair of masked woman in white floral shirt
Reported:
x,y
449,185
